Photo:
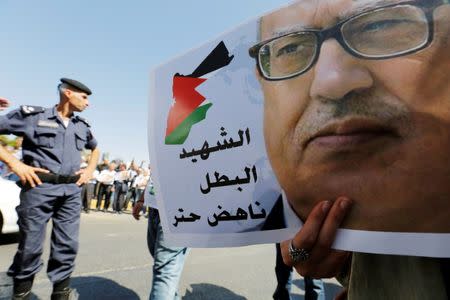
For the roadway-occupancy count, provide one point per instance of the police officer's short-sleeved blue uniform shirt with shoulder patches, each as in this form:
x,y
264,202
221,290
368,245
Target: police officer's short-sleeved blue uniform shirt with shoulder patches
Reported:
x,y
47,143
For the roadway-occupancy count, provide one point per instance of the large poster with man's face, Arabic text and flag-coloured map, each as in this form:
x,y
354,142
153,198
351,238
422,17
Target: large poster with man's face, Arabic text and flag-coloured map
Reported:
x,y
356,108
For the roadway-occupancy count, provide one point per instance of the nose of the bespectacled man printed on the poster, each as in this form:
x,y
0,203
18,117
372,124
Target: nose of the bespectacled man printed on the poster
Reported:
x,y
338,73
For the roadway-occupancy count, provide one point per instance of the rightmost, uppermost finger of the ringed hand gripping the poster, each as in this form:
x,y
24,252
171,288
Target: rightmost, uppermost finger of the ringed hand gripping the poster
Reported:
x,y
332,223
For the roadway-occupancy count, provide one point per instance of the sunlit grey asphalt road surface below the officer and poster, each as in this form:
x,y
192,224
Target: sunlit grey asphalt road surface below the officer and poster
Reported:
x,y
114,263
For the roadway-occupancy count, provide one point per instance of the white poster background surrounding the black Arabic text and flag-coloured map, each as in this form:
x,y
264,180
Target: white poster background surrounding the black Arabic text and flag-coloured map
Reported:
x,y
237,105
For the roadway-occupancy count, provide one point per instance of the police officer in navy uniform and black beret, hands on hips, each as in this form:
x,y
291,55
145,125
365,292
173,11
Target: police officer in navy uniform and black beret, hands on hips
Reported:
x,y
50,178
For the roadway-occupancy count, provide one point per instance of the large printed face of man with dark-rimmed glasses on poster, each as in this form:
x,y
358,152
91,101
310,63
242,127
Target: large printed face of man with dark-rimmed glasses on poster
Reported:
x,y
361,110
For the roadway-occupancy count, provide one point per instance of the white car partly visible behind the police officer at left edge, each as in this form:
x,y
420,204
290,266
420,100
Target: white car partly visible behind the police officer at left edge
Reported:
x,y
9,199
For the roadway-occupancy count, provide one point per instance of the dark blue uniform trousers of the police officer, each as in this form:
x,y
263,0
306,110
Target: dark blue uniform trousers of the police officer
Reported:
x,y
37,206
